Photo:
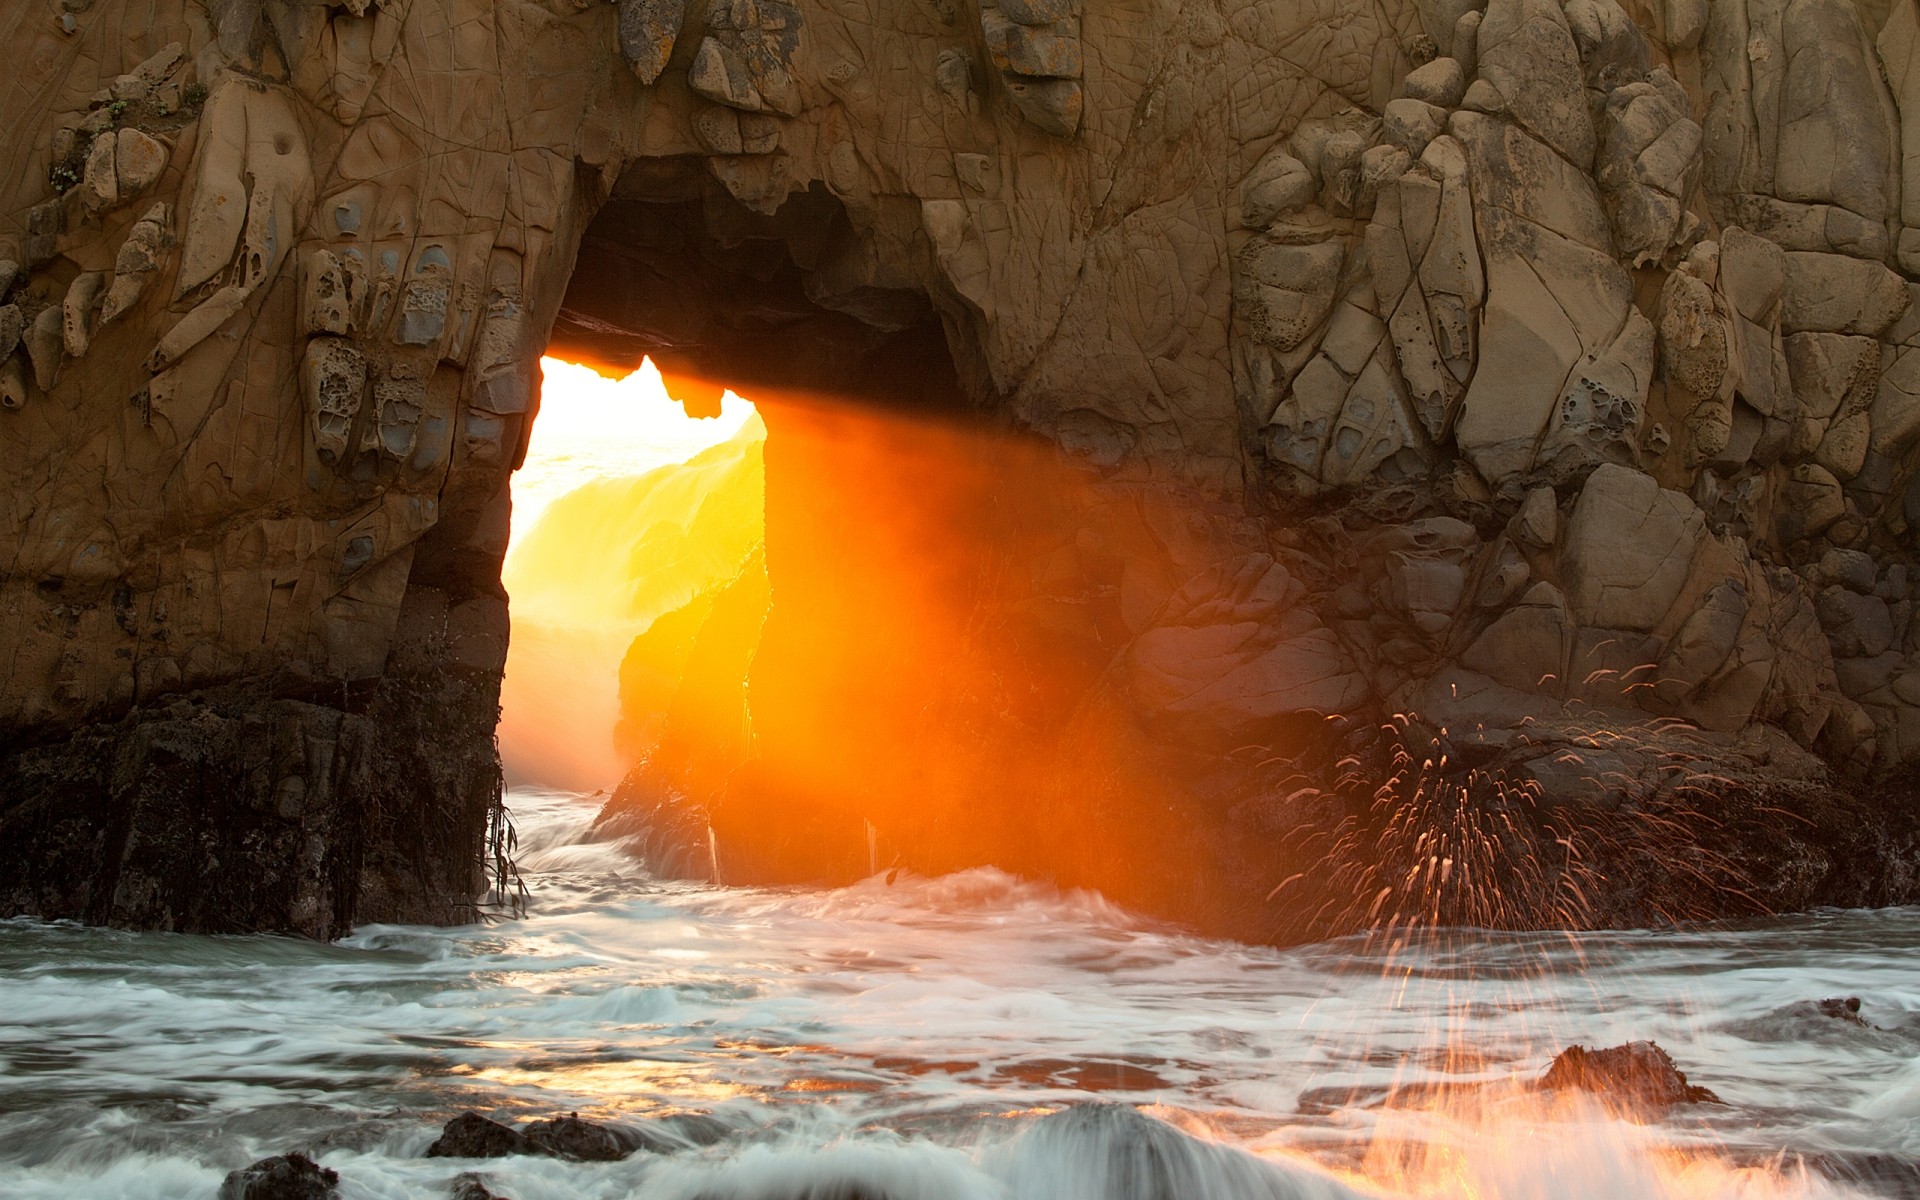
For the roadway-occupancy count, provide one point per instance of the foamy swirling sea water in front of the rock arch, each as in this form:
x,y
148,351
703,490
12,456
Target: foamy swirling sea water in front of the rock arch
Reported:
x,y
959,1038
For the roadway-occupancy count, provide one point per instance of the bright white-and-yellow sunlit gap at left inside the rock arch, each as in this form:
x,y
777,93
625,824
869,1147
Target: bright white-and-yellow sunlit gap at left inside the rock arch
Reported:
x,y
625,510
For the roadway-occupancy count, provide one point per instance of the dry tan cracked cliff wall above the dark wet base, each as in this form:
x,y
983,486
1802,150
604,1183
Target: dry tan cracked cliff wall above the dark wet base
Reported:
x,y
274,279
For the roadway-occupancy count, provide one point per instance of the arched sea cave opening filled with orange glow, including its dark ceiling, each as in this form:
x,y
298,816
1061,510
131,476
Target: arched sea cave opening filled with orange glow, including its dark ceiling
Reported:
x,y
865,621
